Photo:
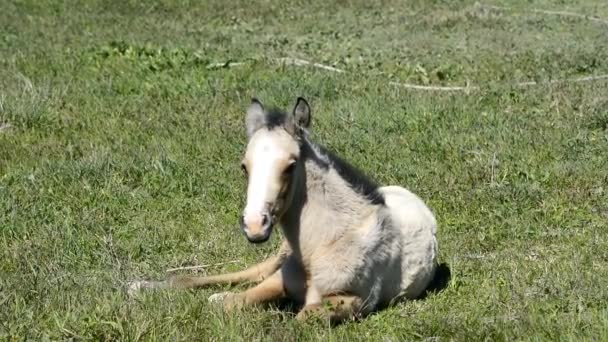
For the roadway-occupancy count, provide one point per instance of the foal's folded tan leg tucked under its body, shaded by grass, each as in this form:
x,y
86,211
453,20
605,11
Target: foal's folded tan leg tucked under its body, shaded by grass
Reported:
x,y
334,308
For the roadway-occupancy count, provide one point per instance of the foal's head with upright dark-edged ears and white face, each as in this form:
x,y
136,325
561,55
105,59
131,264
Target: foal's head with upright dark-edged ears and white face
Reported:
x,y
272,164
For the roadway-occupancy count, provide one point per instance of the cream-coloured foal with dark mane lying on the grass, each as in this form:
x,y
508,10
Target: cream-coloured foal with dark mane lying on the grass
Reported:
x,y
350,246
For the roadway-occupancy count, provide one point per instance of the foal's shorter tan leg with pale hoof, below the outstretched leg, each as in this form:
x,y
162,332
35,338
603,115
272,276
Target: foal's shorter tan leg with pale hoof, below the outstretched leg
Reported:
x,y
271,288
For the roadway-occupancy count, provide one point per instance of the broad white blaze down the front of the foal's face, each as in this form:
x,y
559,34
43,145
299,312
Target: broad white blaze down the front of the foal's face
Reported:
x,y
267,154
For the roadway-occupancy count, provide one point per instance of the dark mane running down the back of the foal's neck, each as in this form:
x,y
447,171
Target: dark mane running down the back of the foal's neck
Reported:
x,y
358,181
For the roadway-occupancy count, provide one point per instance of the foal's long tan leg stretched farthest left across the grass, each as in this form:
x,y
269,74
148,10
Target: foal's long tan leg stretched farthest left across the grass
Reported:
x,y
256,273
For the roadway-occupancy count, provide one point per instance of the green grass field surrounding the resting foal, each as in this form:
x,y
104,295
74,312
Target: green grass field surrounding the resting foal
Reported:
x,y
120,150
